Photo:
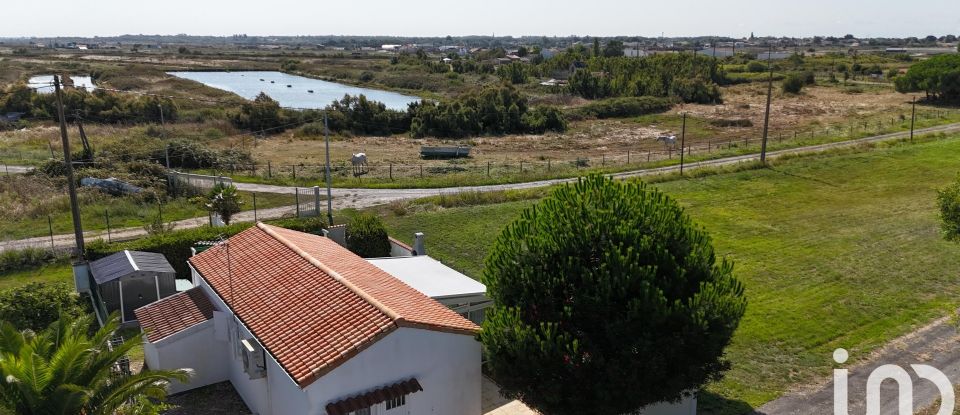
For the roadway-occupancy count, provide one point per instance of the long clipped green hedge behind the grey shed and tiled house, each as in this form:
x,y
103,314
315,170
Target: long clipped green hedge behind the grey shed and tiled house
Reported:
x,y
176,245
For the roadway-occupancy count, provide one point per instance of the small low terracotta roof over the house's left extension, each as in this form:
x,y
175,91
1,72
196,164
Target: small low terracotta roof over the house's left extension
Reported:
x,y
175,313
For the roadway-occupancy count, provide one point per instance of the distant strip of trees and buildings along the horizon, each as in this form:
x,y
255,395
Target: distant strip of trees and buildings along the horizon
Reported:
x,y
466,46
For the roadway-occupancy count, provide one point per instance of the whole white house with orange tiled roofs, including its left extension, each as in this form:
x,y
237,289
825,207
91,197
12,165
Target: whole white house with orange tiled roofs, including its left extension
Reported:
x,y
300,325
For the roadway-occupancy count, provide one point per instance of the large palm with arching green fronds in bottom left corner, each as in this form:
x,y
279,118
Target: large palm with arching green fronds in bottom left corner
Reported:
x,y
64,370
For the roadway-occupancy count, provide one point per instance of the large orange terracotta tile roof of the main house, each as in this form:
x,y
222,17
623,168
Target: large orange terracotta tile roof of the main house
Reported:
x,y
312,303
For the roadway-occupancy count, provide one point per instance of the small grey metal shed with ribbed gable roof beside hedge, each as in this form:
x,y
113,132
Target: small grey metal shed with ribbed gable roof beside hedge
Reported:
x,y
128,280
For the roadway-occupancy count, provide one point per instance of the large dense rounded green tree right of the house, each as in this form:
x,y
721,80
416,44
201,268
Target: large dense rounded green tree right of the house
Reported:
x,y
600,278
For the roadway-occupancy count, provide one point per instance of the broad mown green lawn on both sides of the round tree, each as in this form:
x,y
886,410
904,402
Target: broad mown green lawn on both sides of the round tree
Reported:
x,y
835,251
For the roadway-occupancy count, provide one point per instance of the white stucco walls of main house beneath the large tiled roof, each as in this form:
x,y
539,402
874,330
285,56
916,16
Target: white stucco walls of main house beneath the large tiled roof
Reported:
x,y
446,365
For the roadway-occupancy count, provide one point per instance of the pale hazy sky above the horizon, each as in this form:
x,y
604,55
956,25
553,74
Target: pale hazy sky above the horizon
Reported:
x,y
737,18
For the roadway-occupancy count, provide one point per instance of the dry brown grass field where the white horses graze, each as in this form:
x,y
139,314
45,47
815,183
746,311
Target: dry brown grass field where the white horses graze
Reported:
x,y
813,110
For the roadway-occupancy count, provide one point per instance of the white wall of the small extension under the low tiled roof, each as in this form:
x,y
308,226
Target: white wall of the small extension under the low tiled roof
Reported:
x,y
193,348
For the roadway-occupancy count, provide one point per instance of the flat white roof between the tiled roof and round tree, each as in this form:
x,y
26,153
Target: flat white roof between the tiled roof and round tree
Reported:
x,y
430,276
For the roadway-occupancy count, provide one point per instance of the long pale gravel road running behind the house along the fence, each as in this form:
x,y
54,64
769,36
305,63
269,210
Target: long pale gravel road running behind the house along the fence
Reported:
x,y
361,198
